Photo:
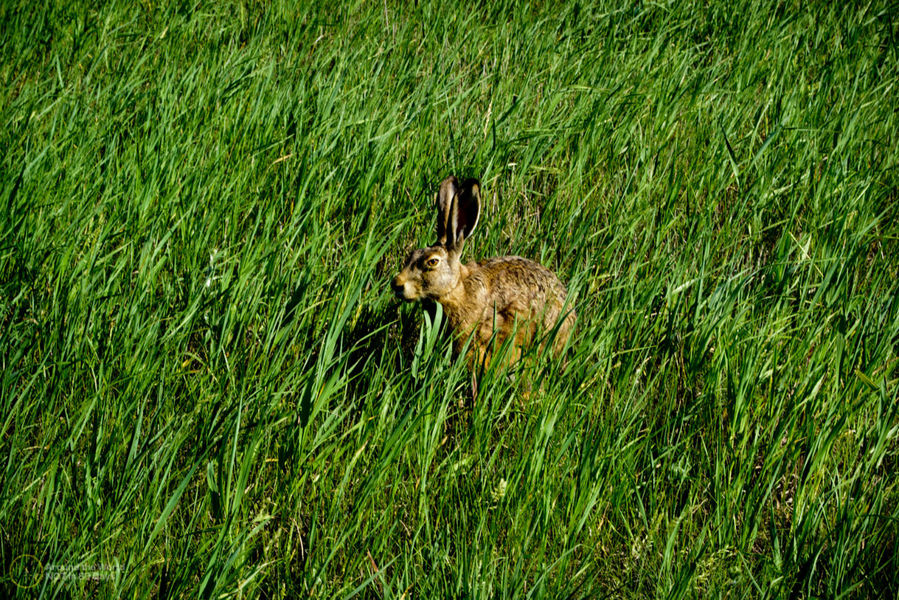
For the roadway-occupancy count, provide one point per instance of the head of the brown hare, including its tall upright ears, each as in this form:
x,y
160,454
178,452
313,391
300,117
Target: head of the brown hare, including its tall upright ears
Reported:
x,y
433,272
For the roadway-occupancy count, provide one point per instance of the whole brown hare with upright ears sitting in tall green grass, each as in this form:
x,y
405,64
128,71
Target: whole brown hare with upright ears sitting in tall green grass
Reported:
x,y
492,300
